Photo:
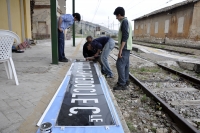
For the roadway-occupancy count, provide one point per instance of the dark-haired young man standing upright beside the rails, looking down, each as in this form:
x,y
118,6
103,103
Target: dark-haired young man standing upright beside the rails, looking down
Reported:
x,y
125,45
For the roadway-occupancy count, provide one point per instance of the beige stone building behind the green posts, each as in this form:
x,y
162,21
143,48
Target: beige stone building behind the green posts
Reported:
x,y
41,18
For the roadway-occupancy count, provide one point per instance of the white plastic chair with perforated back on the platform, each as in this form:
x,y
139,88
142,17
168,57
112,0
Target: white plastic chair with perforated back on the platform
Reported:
x,y
6,41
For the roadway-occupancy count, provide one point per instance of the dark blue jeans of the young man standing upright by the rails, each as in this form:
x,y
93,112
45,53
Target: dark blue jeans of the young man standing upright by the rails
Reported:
x,y
122,65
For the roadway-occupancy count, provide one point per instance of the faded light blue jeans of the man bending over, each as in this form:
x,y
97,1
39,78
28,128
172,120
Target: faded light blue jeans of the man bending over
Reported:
x,y
104,57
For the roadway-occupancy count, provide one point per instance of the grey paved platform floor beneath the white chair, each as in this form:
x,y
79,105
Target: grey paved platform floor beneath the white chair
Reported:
x,y
22,106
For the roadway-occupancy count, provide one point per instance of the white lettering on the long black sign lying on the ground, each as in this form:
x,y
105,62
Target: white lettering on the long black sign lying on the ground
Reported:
x,y
84,86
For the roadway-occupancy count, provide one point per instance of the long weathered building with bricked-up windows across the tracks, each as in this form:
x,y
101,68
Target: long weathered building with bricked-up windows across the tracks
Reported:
x,y
178,24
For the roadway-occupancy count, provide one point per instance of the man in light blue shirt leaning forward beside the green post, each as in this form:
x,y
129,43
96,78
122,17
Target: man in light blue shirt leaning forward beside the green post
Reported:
x,y
64,22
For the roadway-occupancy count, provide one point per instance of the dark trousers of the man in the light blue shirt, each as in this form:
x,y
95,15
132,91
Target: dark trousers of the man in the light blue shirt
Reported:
x,y
61,45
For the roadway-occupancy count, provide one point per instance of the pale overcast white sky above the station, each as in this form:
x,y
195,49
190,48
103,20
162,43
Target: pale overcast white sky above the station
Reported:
x,y
101,11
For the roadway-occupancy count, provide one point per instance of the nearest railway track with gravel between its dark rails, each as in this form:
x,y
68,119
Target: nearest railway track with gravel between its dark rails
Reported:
x,y
176,93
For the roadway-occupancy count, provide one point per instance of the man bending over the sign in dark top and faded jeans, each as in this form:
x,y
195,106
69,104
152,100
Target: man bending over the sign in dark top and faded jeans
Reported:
x,y
104,45
